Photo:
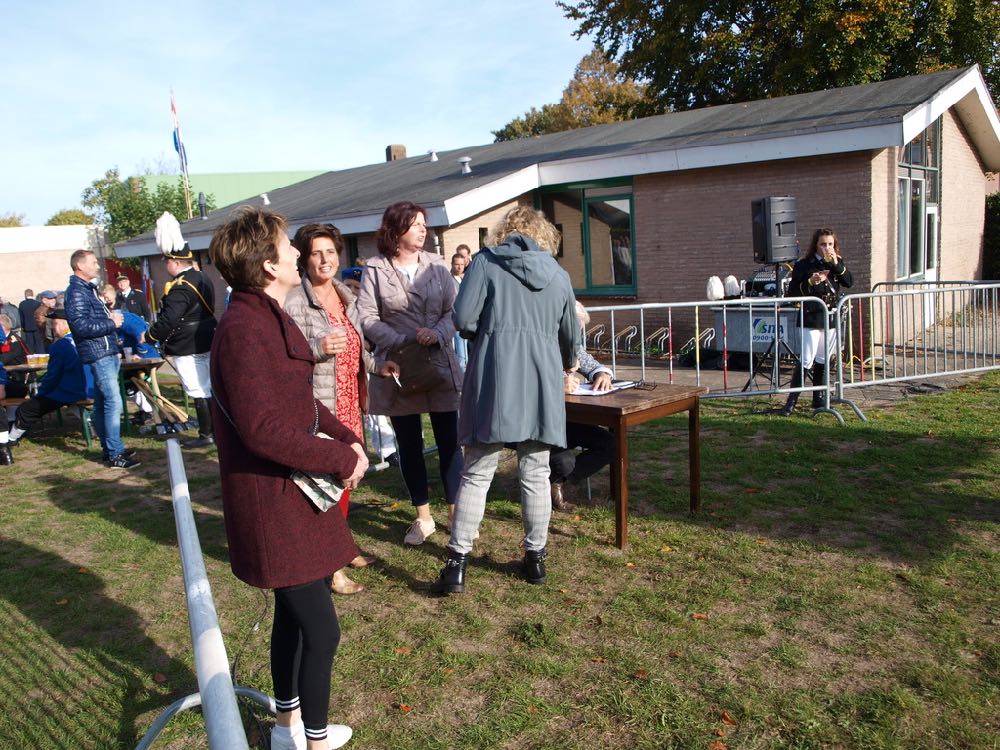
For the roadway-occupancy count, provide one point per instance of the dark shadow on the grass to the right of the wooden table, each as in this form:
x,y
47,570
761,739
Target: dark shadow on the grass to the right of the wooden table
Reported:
x,y
894,492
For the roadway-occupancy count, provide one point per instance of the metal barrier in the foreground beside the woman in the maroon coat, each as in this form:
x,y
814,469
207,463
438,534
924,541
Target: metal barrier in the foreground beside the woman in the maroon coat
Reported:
x,y
216,692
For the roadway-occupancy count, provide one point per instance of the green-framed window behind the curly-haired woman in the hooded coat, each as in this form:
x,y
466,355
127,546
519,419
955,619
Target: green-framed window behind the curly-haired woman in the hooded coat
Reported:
x,y
597,225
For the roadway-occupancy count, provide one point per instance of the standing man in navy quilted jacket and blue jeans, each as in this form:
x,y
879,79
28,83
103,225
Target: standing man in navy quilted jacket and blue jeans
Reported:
x,y
94,330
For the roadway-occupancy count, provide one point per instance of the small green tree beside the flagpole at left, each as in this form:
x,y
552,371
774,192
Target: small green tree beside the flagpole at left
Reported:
x,y
127,208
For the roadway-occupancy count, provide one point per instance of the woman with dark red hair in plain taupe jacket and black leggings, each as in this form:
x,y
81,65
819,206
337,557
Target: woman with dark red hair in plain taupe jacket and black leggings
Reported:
x,y
407,295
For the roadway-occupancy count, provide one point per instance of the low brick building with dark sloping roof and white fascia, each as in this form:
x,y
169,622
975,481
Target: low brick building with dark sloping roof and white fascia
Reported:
x,y
650,208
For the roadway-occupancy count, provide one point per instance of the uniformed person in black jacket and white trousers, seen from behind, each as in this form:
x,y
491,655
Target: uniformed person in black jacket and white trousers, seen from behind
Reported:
x,y
184,329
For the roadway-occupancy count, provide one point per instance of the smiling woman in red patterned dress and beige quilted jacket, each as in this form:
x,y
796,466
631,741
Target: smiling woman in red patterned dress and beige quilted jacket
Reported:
x,y
325,310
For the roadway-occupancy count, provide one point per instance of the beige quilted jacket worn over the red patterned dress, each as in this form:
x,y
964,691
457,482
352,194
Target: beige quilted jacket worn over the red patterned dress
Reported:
x,y
302,306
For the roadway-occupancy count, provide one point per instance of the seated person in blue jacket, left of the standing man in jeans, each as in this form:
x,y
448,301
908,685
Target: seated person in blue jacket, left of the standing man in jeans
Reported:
x,y
65,381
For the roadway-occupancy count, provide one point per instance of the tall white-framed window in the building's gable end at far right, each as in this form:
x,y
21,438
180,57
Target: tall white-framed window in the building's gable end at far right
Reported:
x,y
917,205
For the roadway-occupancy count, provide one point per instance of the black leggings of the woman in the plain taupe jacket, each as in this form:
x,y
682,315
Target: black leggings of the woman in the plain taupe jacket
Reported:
x,y
410,444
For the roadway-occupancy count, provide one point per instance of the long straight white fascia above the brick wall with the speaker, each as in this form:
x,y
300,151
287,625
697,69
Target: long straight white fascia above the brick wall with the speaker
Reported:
x,y
699,157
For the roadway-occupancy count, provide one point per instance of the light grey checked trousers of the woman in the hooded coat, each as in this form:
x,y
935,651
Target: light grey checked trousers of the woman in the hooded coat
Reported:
x,y
481,461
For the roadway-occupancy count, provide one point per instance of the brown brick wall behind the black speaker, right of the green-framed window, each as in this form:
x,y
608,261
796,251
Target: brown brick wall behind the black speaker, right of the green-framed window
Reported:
x,y
695,224
